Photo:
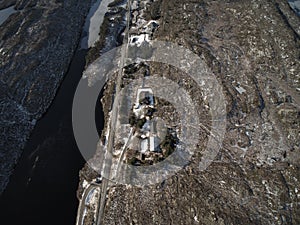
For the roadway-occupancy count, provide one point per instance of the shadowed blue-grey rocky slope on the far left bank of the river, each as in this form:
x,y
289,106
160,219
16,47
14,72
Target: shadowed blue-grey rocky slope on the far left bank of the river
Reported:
x,y
36,47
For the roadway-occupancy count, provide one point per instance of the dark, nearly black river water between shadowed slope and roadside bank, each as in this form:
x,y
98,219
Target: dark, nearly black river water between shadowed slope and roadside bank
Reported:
x,y
42,189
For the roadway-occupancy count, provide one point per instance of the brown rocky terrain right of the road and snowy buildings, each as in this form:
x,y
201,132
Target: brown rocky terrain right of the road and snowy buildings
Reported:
x,y
252,47
